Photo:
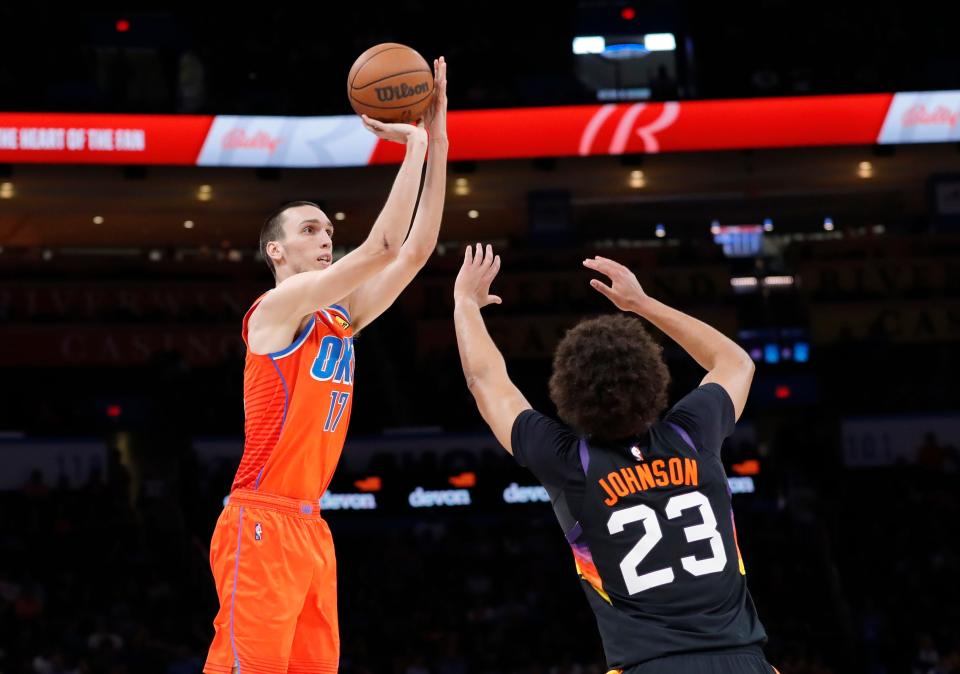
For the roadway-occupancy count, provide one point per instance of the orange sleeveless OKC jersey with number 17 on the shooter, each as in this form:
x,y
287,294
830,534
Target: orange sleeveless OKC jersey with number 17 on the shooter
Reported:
x,y
297,404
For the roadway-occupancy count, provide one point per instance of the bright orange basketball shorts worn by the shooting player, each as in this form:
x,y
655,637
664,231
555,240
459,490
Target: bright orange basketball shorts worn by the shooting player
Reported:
x,y
274,567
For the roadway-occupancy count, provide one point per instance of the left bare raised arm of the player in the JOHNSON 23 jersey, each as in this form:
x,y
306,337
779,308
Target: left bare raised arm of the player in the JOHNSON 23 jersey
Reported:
x,y
499,400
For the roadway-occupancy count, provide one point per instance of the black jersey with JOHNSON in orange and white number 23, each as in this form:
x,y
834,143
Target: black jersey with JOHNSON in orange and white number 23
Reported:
x,y
651,528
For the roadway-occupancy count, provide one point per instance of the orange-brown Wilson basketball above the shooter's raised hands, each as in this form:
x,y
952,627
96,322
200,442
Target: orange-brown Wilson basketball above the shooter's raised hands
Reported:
x,y
390,82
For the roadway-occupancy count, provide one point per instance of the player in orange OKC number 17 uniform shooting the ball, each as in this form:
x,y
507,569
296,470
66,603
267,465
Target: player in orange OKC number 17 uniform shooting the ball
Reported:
x,y
272,554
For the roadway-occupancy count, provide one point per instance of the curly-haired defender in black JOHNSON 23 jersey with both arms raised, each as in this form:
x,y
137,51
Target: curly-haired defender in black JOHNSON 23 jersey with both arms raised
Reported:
x,y
643,501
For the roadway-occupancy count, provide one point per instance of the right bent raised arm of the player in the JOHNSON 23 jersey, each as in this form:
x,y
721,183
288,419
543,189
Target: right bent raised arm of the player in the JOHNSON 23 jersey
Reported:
x,y
726,363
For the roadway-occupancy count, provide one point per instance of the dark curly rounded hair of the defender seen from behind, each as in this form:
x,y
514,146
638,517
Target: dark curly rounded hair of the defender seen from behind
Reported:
x,y
609,378
